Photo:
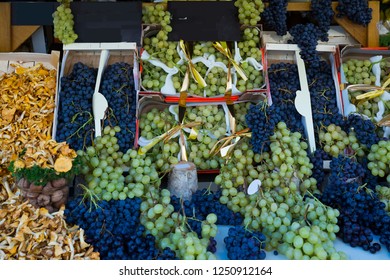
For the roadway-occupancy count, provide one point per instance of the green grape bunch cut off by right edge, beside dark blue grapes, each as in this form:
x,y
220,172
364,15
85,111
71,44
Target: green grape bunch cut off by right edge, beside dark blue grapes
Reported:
x,y
379,159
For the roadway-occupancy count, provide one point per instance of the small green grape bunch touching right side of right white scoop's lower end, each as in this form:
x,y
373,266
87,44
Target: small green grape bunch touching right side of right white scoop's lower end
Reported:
x,y
334,141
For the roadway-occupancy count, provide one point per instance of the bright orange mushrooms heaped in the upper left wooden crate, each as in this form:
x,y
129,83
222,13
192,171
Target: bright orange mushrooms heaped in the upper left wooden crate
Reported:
x,y
27,102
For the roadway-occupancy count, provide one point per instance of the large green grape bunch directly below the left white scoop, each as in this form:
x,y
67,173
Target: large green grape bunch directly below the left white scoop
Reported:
x,y
111,174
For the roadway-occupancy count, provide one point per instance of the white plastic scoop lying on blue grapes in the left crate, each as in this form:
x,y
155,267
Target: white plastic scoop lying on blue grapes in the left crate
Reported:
x,y
99,102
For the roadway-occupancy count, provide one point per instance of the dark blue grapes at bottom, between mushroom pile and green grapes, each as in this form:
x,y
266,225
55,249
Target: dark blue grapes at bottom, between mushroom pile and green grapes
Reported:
x,y
114,229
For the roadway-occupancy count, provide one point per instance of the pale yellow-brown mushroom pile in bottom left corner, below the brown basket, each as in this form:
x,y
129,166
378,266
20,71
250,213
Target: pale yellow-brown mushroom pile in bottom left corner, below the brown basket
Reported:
x,y
28,233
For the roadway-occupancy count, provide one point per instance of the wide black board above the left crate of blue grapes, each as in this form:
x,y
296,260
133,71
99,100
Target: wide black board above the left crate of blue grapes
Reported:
x,y
108,21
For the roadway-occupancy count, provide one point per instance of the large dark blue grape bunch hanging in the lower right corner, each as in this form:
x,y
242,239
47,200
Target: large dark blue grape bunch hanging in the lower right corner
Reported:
x,y
362,214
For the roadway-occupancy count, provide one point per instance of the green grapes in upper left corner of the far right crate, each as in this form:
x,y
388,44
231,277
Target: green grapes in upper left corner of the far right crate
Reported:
x,y
358,71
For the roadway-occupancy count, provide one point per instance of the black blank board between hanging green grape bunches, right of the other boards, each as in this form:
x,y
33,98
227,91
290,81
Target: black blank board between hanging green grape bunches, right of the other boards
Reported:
x,y
204,21
